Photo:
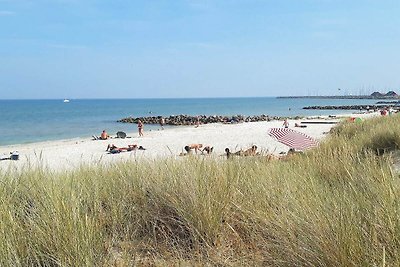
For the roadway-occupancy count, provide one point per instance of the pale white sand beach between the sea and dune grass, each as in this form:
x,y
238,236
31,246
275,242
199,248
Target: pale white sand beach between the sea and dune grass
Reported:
x,y
68,154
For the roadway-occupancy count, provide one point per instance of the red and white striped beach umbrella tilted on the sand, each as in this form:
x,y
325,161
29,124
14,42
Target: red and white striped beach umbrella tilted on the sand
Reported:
x,y
292,138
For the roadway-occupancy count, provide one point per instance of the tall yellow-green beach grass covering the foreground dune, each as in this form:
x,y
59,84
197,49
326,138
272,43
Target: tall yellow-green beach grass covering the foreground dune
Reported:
x,y
337,205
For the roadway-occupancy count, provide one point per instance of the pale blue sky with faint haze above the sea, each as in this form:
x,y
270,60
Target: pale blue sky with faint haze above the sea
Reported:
x,y
197,48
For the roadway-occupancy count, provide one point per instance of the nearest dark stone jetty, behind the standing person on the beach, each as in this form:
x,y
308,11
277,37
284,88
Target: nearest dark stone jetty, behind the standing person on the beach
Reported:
x,y
178,120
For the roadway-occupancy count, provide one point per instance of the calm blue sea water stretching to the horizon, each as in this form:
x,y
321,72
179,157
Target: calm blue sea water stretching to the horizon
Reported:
x,y
25,121
